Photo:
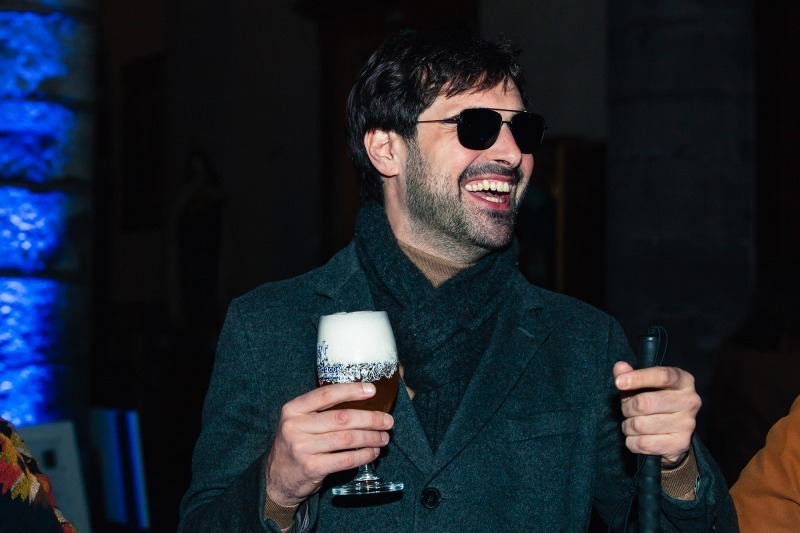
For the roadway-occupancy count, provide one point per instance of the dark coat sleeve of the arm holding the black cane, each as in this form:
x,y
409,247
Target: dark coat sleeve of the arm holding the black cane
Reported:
x,y
711,510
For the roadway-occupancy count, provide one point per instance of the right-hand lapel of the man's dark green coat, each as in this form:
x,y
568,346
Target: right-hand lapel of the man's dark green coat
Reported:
x,y
521,330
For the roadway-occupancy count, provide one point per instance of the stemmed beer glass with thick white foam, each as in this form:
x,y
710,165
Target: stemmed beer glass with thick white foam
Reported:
x,y
360,346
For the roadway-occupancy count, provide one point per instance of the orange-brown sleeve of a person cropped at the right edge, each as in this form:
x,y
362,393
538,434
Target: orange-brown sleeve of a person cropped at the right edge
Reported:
x,y
767,493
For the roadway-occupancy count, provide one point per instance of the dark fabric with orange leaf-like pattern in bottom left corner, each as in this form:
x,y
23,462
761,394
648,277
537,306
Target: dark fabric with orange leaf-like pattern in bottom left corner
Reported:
x,y
25,492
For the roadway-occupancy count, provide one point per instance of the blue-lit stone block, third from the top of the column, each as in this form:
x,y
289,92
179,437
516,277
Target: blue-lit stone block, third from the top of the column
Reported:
x,y
32,226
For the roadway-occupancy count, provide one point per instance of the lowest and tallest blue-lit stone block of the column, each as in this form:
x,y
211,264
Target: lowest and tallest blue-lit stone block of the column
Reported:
x,y
29,328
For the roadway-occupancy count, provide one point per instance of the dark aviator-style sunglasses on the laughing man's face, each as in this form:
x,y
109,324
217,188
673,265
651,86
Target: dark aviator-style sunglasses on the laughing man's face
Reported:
x,y
478,128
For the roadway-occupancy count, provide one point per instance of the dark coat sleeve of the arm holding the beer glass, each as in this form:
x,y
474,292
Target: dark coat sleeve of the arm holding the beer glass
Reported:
x,y
227,490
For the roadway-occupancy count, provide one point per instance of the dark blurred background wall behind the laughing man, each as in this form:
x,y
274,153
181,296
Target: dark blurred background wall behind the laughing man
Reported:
x,y
665,188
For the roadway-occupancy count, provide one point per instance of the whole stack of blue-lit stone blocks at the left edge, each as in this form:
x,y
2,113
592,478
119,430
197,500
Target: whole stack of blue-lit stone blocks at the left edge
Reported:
x,y
37,126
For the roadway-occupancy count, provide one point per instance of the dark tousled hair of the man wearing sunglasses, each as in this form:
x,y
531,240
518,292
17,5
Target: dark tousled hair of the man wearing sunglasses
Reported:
x,y
407,73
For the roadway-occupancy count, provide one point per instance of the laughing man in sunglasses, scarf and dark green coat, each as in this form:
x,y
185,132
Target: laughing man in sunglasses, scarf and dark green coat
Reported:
x,y
510,415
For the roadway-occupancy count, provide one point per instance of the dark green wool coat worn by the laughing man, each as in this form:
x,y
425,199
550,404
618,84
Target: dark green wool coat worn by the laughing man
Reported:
x,y
535,443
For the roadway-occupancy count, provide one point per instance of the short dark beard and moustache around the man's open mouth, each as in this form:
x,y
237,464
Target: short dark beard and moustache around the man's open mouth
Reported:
x,y
439,211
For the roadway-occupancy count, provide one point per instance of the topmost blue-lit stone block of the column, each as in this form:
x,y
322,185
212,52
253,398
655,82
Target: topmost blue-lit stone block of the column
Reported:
x,y
33,50
